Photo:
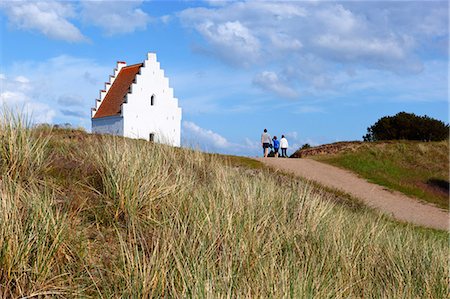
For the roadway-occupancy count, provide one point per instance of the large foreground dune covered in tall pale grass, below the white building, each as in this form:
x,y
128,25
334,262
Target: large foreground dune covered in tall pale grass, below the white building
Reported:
x,y
92,216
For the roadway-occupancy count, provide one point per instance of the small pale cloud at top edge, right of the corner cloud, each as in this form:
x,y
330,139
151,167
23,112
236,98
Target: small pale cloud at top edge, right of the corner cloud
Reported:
x,y
115,17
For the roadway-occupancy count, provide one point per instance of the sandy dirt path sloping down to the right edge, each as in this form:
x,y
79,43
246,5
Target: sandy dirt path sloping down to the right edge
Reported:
x,y
396,204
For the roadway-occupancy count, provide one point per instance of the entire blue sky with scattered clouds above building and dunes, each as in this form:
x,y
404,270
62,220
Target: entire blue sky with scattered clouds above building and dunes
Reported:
x,y
315,71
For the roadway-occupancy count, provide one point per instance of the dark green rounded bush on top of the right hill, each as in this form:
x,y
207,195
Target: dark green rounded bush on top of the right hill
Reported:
x,y
407,126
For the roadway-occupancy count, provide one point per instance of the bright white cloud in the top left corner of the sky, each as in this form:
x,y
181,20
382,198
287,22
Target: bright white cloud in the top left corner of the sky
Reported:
x,y
47,17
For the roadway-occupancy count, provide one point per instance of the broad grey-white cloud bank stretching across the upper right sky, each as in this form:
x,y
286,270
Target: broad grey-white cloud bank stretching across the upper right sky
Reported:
x,y
303,28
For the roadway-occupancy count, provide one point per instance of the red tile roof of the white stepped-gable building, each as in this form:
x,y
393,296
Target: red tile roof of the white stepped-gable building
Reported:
x,y
110,105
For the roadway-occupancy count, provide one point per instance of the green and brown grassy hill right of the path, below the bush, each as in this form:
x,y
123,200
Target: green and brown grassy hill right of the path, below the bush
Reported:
x,y
419,169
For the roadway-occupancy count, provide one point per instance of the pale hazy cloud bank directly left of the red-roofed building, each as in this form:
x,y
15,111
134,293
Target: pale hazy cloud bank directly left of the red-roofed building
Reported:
x,y
54,90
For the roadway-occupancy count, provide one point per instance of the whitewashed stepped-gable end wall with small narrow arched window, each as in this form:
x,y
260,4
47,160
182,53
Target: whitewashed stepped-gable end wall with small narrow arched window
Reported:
x,y
141,118
